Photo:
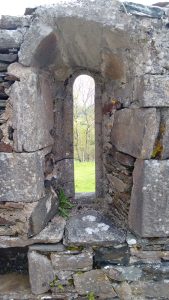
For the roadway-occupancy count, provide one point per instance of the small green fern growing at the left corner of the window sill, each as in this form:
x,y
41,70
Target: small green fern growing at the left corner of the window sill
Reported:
x,y
64,204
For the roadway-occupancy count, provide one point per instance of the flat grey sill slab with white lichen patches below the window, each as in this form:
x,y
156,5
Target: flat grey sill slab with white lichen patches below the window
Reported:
x,y
92,228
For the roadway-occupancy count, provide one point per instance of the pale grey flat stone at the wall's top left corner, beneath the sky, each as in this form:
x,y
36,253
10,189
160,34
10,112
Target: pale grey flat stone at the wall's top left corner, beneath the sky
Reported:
x,y
13,22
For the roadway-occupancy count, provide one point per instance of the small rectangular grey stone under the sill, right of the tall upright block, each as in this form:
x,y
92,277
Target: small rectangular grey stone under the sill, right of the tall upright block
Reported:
x,y
82,261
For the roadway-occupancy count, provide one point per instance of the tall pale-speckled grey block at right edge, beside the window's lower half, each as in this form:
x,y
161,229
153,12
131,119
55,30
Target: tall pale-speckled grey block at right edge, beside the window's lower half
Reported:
x,y
149,214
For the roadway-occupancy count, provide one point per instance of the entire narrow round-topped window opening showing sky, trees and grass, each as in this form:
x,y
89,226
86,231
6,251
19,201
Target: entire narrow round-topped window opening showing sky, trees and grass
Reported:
x,y
84,135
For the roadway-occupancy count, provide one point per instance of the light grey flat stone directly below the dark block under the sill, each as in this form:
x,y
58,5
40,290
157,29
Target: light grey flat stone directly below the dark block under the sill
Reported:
x,y
123,273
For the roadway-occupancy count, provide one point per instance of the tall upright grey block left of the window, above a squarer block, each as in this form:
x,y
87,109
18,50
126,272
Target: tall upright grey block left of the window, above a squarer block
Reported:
x,y
32,109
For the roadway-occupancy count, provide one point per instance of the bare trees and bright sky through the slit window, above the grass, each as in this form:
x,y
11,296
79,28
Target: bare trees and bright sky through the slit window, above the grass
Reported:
x,y
84,127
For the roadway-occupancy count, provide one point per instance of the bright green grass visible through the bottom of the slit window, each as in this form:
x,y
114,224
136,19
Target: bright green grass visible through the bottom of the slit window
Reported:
x,y
84,177
